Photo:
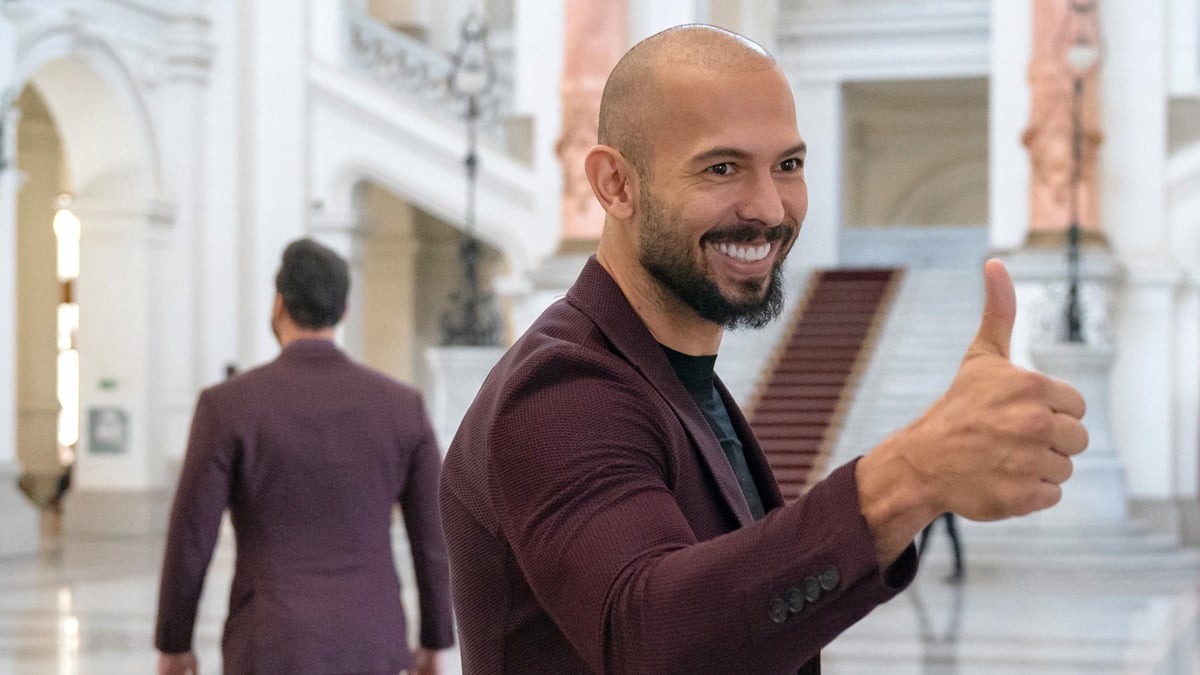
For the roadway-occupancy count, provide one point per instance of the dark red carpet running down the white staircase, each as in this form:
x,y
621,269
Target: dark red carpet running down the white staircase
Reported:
x,y
801,401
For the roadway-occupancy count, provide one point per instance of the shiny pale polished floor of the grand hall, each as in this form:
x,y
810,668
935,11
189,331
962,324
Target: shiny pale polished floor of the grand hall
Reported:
x,y
86,606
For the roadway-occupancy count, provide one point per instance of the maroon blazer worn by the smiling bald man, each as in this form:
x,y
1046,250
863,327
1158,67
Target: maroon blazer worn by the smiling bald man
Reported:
x,y
595,524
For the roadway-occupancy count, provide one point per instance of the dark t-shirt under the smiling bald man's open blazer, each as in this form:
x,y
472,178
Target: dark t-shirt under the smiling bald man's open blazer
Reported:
x,y
697,374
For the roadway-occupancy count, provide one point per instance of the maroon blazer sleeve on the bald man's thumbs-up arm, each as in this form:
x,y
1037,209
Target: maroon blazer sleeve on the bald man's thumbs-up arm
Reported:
x,y
585,468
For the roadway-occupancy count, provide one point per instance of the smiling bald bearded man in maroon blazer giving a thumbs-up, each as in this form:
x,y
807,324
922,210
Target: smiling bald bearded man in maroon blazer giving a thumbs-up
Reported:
x,y
605,504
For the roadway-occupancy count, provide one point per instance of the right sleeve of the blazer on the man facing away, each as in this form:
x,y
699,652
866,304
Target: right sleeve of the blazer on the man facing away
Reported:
x,y
419,506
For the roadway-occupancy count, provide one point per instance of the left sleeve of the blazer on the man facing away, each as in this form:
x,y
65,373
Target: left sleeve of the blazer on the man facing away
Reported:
x,y
201,499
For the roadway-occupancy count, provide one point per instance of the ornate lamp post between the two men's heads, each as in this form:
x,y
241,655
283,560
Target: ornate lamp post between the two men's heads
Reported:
x,y
472,319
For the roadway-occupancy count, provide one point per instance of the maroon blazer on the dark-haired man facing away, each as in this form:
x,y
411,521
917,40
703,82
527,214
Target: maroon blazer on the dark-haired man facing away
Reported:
x,y
310,453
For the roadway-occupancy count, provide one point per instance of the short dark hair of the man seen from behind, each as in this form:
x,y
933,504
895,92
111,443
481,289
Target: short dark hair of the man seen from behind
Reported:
x,y
314,282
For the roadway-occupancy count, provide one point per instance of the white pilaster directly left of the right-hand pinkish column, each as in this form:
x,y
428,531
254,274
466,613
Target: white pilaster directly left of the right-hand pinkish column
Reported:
x,y
1009,162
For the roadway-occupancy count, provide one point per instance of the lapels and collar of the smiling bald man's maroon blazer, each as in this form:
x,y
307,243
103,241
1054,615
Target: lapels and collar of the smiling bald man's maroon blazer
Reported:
x,y
598,296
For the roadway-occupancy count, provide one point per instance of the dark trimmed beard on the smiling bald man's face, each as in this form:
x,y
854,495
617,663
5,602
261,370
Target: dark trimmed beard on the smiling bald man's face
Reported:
x,y
674,270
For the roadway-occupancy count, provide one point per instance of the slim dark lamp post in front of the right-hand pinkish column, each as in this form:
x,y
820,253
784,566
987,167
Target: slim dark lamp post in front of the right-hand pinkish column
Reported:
x,y
1082,57
